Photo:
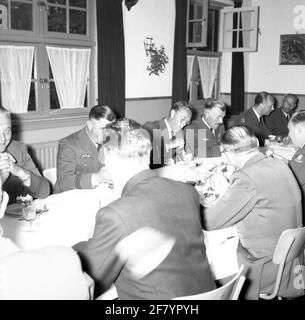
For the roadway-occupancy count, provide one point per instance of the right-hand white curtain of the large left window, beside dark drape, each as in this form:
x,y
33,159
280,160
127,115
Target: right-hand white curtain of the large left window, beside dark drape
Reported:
x,y
70,68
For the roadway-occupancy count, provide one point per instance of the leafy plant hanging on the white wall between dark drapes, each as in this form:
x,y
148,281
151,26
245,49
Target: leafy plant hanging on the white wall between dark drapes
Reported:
x,y
158,57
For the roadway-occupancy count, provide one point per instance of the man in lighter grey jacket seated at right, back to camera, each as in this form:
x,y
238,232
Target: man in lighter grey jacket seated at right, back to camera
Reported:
x,y
262,200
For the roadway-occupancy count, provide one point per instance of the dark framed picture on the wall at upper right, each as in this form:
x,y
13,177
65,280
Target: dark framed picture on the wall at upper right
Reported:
x,y
292,49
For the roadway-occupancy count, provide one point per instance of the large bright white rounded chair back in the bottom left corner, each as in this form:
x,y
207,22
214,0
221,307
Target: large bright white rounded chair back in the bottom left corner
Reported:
x,y
49,273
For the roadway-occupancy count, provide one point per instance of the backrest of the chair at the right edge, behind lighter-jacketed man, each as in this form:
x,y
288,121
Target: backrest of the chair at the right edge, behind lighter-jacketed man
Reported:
x,y
290,245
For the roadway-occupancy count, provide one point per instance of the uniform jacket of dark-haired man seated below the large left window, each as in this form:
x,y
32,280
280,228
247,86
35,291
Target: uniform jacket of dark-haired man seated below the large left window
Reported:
x,y
77,159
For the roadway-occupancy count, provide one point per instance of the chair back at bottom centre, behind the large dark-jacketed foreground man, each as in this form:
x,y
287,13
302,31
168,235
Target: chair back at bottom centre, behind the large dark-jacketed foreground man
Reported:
x,y
229,291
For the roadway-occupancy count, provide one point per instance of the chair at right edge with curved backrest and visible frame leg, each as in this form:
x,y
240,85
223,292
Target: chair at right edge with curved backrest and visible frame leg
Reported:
x,y
289,246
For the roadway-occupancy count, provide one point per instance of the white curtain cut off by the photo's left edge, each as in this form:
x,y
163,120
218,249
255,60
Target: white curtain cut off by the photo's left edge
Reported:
x,y
15,76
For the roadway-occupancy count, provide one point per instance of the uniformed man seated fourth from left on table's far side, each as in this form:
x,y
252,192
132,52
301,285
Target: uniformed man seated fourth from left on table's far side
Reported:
x,y
203,134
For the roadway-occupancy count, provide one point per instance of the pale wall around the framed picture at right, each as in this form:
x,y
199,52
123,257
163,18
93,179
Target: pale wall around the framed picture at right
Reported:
x,y
262,69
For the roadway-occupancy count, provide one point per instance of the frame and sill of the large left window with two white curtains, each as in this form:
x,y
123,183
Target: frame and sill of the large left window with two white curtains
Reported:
x,y
45,117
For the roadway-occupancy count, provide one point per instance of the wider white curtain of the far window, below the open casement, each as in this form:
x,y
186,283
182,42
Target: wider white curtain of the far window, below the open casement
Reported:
x,y
208,71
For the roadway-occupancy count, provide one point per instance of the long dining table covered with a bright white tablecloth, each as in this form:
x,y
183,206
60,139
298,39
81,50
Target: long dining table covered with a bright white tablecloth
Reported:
x,y
69,217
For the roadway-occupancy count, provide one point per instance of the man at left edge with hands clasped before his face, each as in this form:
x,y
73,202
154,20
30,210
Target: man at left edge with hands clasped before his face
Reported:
x,y
17,169
